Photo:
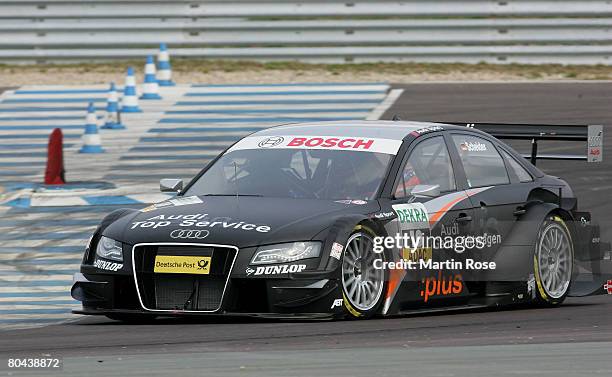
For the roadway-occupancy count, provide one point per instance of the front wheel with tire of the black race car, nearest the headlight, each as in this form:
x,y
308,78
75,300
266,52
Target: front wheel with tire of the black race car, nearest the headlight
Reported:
x,y
363,286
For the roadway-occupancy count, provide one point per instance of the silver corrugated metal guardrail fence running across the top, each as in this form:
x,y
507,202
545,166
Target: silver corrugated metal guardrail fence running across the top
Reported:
x,y
561,31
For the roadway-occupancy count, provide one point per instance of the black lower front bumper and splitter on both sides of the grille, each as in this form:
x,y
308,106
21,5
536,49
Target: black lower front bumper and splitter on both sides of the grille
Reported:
x,y
311,295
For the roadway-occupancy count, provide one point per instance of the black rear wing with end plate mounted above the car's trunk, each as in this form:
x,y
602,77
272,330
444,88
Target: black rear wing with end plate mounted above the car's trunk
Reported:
x,y
592,134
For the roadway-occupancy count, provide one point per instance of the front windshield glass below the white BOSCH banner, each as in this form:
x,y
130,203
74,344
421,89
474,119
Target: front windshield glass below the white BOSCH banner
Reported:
x,y
295,173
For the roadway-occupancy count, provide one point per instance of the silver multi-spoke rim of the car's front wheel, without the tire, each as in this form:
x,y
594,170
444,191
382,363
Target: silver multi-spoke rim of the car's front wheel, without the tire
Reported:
x,y
362,283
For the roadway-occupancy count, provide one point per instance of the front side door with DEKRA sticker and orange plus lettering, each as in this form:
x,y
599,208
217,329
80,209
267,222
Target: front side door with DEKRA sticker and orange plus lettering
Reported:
x,y
424,213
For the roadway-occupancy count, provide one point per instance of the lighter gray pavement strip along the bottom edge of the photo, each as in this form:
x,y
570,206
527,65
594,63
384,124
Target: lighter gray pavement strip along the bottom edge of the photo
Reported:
x,y
578,359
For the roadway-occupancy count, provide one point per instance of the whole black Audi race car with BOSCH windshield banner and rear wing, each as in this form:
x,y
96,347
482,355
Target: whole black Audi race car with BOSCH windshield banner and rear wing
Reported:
x,y
353,219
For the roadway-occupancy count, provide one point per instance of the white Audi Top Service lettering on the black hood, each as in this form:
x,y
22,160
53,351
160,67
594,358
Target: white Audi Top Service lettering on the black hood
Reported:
x,y
198,220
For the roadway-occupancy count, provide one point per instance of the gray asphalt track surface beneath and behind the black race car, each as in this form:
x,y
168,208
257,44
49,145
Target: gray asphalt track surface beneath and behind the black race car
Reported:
x,y
572,340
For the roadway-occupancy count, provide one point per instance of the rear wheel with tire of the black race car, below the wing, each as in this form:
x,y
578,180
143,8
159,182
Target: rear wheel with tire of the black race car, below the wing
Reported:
x,y
553,262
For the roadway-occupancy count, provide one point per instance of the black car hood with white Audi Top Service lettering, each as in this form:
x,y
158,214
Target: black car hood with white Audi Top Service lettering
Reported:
x,y
227,220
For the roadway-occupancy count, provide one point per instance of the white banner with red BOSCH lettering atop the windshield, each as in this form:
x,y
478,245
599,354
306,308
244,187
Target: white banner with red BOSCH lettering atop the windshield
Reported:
x,y
377,145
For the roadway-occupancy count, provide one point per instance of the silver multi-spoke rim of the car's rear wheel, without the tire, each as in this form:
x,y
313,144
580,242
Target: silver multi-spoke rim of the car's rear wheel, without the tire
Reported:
x,y
555,260
